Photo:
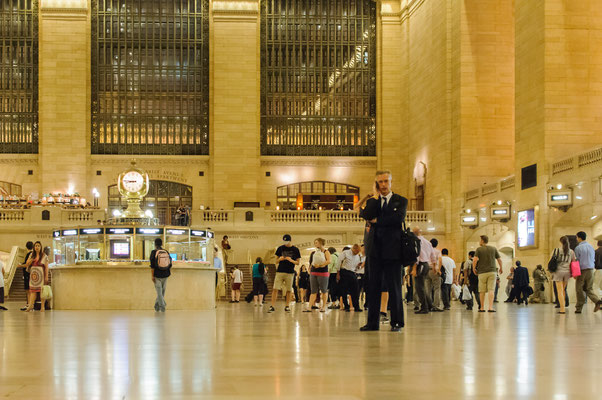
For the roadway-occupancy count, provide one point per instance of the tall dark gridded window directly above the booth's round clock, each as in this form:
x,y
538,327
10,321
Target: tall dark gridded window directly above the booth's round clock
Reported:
x,y
150,77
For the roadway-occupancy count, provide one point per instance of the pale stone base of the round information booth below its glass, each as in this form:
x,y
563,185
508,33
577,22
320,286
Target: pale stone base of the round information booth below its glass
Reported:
x,y
128,286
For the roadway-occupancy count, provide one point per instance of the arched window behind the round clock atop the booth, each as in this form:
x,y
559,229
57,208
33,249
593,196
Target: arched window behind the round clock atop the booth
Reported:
x,y
163,200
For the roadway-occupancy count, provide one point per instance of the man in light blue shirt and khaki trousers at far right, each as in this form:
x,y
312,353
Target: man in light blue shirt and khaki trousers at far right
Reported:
x,y
585,282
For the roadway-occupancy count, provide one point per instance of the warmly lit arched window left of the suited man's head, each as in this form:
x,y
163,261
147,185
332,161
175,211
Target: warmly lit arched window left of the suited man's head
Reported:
x,y
316,195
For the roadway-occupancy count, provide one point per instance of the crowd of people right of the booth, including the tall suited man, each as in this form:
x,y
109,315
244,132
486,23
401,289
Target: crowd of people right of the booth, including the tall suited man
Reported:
x,y
369,276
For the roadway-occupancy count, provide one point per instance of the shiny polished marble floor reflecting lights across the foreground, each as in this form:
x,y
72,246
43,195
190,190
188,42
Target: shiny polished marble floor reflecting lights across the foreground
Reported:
x,y
239,351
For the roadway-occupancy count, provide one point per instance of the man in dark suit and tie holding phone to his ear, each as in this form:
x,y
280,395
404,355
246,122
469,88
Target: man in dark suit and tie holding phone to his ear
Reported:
x,y
386,212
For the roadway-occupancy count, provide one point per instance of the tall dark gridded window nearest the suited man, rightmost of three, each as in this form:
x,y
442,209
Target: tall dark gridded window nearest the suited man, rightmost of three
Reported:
x,y
318,72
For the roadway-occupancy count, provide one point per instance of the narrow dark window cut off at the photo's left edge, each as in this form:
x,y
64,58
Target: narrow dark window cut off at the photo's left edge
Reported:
x,y
18,76
